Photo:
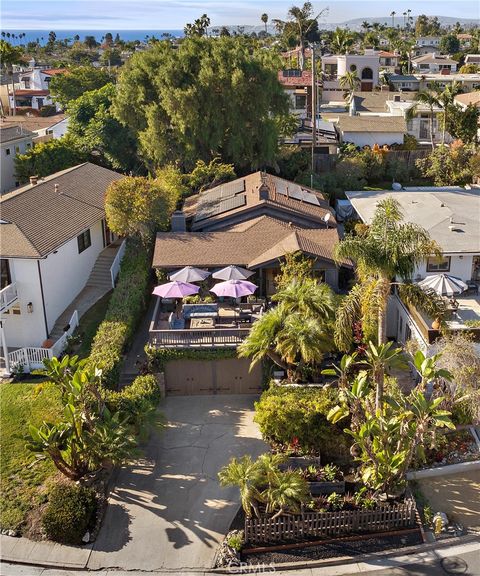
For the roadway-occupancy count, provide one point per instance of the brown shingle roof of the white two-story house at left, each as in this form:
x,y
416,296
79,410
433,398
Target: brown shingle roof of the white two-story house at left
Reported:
x,y
38,219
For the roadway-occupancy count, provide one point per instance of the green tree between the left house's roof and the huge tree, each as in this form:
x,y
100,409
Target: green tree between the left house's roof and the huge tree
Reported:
x,y
98,133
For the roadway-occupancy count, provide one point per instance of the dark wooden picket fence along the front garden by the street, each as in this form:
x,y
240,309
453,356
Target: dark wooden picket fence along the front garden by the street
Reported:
x,y
319,524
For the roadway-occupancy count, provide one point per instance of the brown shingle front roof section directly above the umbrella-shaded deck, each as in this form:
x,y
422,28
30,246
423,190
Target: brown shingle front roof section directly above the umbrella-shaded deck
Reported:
x,y
264,240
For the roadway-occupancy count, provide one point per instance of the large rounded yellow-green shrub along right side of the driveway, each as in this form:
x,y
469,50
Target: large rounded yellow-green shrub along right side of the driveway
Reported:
x,y
297,417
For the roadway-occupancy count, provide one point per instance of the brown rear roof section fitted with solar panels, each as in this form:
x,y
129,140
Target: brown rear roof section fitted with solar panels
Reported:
x,y
273,200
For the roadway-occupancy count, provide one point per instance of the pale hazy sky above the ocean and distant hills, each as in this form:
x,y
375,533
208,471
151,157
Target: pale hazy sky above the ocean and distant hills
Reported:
x,y
173,14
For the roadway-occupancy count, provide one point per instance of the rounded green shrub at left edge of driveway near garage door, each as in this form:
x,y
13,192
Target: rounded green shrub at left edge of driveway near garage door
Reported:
x,y
136,401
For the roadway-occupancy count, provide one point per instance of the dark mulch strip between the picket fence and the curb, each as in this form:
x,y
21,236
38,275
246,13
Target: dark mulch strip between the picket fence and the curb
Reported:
x,y
335,549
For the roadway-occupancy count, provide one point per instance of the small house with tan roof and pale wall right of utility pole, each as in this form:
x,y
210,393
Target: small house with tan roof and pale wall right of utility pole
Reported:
x,y
371,130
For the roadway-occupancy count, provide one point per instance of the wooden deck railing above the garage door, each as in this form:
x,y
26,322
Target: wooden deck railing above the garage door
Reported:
x,y
213,338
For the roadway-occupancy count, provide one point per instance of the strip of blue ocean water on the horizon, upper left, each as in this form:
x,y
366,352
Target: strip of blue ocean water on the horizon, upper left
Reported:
x,y
127,35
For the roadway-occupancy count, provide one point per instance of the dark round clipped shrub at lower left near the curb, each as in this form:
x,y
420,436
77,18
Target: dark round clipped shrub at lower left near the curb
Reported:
x,y
70,512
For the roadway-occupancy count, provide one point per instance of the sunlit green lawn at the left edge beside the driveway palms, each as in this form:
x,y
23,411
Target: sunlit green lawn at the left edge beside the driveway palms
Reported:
x,y
21,484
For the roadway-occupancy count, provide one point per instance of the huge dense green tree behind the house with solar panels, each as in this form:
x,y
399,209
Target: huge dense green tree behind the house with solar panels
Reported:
x,y
210,97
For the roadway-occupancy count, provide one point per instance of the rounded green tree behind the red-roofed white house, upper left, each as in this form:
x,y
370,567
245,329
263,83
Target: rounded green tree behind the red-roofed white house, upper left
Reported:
x,y
76,81
